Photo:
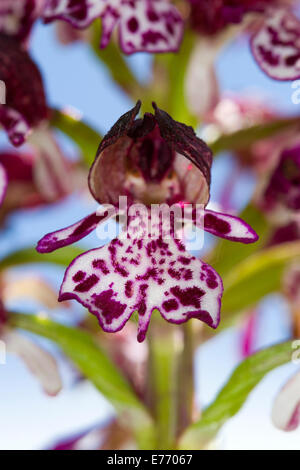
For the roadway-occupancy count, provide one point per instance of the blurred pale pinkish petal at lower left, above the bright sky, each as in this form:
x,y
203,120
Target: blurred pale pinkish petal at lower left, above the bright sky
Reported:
x,y
40,363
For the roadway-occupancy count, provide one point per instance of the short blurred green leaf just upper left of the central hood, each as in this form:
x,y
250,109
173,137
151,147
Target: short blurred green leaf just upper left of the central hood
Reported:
x,y
87,138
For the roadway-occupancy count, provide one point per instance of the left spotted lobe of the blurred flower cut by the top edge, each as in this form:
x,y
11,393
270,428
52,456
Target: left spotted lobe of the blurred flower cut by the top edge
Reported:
x,y
79,14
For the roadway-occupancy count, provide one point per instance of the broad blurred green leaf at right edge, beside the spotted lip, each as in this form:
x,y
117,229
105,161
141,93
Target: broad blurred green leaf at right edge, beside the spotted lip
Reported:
x,y
256,277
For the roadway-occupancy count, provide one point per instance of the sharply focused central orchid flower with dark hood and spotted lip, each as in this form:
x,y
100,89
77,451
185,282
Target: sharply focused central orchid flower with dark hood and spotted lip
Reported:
x,y
149,160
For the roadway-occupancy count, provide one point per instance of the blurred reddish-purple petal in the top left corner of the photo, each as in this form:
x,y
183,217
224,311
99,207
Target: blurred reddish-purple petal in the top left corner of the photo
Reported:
x,y
17,17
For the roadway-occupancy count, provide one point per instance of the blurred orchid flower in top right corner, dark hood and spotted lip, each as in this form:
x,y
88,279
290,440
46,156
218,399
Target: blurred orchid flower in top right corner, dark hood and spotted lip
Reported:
x,y
275,42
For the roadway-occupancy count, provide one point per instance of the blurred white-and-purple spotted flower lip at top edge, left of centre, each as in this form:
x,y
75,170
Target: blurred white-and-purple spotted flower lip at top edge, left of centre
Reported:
x,y
143,25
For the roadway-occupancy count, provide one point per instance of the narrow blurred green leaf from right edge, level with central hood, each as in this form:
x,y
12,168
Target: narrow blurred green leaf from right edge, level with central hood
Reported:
x,y
246,137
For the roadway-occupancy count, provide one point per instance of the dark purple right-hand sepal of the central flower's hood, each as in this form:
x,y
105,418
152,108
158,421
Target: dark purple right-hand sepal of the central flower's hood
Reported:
x,y
184,141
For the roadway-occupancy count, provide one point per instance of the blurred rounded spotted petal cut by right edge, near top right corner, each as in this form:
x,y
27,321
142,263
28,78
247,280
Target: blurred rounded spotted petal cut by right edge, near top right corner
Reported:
x,y
276,45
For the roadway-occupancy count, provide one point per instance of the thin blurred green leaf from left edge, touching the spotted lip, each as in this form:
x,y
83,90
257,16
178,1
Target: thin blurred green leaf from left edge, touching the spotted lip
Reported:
x,y
61,257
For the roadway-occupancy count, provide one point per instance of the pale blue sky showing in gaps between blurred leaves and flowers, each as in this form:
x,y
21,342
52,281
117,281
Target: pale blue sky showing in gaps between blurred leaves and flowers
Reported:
x,y
29,419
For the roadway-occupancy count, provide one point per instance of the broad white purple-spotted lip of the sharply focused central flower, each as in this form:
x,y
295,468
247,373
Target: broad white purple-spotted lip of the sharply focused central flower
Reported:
x,y
134,274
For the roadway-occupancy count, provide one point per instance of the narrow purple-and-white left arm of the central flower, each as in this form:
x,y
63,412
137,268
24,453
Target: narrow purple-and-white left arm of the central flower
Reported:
x,y
72,234
